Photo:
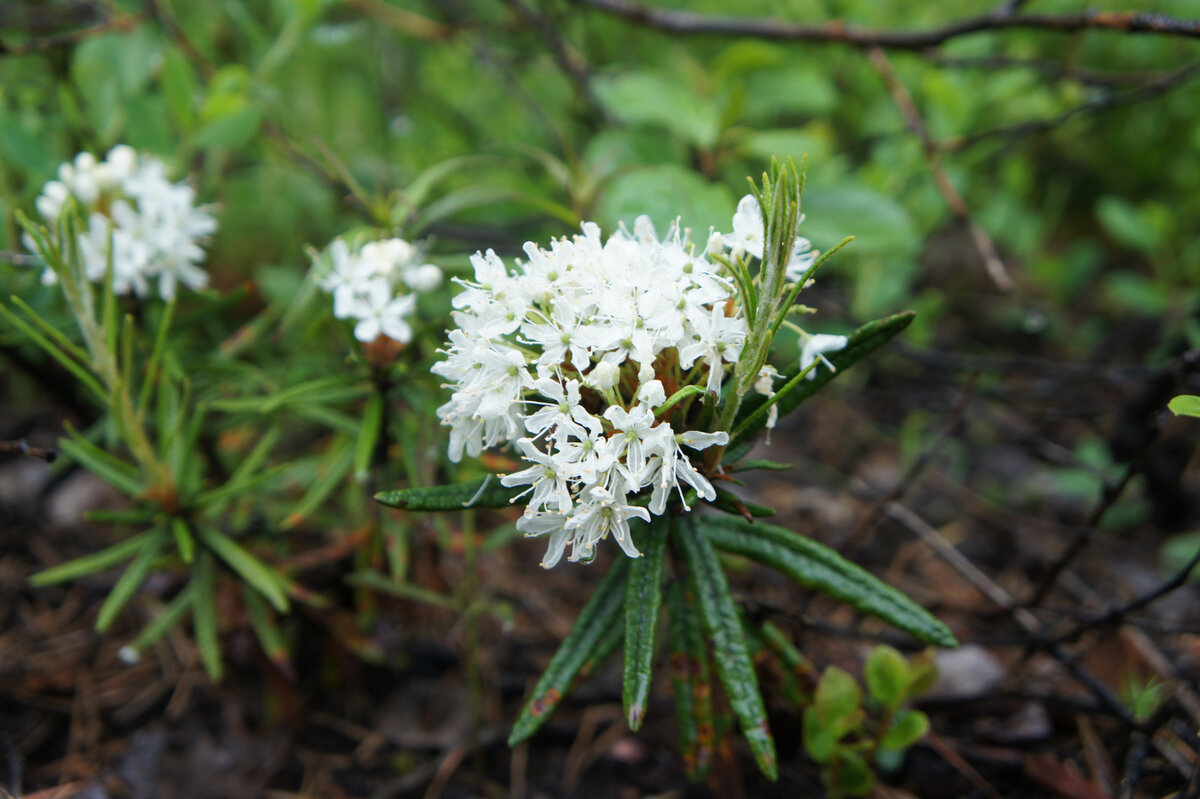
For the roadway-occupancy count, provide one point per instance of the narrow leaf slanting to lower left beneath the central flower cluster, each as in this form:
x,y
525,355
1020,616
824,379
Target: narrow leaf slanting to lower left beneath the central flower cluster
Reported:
x,y
591,629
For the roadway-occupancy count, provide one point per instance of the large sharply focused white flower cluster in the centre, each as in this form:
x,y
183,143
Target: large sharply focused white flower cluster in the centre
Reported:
x,y
569,357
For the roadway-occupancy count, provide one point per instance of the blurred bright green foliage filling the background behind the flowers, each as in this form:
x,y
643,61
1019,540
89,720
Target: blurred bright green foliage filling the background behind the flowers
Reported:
x,y
484,124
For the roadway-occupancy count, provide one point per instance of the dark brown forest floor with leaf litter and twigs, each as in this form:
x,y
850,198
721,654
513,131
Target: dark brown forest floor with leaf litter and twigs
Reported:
x,y
1025,500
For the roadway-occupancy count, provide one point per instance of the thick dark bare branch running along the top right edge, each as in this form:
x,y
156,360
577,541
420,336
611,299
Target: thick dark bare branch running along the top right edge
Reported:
x,y
838,32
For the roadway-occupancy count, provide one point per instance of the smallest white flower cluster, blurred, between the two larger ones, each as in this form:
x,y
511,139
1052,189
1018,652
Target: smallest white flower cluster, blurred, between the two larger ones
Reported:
x,y
375,286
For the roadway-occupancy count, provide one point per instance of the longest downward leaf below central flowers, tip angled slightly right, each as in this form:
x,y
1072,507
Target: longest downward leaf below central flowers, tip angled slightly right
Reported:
x,y
728,644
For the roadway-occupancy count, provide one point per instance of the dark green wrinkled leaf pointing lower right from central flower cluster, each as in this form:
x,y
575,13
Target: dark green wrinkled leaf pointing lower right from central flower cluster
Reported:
x,y
818,567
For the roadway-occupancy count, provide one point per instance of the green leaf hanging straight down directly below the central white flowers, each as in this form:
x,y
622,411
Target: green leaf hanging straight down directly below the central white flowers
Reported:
x,y
644,598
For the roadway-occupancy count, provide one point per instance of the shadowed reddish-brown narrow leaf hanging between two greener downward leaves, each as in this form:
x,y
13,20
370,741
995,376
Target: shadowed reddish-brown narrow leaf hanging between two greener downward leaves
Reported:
x,y
692,683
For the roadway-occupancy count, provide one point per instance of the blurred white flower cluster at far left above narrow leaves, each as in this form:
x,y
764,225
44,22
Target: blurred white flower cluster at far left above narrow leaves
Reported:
x,y
154,227
